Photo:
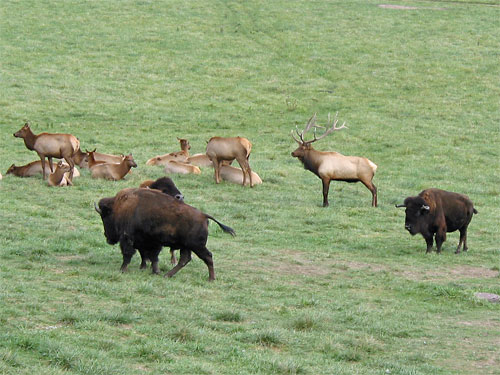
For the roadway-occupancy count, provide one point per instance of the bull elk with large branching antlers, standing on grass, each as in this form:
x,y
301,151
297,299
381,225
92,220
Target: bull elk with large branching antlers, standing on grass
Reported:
x,y
330,166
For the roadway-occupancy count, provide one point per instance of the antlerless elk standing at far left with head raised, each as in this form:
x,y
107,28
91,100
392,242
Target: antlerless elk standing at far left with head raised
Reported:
x,y
50,145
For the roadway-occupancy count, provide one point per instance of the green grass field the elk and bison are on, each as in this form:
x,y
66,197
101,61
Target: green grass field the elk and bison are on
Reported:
x,y
301,289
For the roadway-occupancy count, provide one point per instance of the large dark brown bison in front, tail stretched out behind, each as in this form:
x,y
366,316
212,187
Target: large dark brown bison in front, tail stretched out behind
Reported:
x,y
147,219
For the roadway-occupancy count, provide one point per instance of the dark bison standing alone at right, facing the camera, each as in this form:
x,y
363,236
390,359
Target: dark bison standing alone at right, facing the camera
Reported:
x,y
435,212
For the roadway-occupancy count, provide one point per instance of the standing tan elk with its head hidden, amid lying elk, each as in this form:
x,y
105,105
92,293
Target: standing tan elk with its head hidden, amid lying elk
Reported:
x,y
220,149
